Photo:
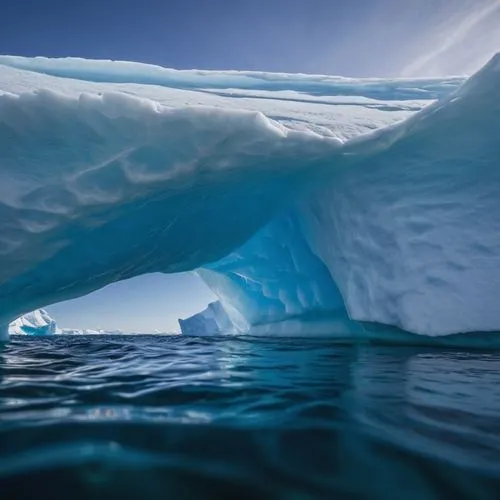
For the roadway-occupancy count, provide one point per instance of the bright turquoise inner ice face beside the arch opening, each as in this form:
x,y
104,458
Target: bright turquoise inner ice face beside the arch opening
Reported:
x,y
274,276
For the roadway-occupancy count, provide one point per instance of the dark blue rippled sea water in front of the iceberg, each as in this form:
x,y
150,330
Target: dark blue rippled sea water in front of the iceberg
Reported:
x,y
173,417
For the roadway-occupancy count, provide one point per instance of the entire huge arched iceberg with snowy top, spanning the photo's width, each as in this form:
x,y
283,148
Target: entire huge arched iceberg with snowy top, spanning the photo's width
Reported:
x,y
308,204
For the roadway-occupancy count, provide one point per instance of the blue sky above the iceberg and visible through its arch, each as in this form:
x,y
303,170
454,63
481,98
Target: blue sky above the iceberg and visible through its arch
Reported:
x,y
360,38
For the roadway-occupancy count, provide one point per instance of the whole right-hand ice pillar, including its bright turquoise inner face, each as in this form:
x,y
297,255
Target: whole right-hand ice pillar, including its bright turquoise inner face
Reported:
x,y
401,233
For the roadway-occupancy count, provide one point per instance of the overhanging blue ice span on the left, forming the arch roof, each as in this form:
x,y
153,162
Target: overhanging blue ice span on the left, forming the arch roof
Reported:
x,y
102,188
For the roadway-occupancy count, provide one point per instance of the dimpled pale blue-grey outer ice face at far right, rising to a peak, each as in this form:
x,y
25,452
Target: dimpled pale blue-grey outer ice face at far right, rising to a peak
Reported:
x,y
415,227
